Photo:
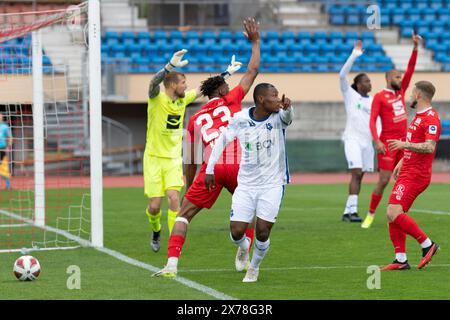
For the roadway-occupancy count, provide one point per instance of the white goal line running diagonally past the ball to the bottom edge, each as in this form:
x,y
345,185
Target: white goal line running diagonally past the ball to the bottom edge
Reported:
x,y
115,254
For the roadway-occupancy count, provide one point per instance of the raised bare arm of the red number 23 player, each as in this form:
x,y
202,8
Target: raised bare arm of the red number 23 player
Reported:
x,y
251,27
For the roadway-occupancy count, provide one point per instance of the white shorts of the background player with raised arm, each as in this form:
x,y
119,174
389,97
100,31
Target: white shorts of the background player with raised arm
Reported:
x,y
359,155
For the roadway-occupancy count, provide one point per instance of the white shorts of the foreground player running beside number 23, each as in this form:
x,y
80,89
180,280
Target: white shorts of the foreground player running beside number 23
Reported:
x,y
264,202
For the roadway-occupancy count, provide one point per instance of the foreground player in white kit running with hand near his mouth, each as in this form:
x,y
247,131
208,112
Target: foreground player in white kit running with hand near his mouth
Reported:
x,y
263,172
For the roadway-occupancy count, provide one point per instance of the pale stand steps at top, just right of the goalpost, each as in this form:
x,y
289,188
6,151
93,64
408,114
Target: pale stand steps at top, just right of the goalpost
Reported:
x,y
120,15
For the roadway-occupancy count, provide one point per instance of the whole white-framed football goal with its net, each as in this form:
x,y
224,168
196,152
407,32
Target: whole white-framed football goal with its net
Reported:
x,y
50,131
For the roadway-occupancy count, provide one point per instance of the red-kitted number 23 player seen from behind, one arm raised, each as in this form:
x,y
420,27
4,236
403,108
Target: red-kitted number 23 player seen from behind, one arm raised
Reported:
x,y
208,123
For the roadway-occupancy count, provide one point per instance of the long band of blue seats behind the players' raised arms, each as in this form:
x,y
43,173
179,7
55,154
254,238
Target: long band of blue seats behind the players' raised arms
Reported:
x,y
210,50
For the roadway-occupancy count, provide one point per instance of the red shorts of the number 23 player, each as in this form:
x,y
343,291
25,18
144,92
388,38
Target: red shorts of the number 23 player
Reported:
x,y
225,176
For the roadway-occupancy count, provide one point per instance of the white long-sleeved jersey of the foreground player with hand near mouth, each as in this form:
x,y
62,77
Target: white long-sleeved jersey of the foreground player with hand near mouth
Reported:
x,y
264,160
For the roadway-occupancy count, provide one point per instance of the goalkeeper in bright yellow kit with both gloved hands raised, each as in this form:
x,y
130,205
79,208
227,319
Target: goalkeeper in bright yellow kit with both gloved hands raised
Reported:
x,y
163,164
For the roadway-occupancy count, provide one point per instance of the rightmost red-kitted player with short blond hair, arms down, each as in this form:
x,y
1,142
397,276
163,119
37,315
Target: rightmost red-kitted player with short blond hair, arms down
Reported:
x,y
413,175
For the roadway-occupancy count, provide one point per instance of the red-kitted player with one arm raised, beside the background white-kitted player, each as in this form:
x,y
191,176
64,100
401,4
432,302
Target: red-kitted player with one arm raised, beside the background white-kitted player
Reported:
x,y
389,105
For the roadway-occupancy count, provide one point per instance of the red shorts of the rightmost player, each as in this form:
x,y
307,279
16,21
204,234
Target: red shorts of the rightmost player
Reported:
x,y
406,190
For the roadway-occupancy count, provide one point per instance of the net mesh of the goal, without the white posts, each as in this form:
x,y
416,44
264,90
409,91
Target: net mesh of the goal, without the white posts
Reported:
x,y
65,68
